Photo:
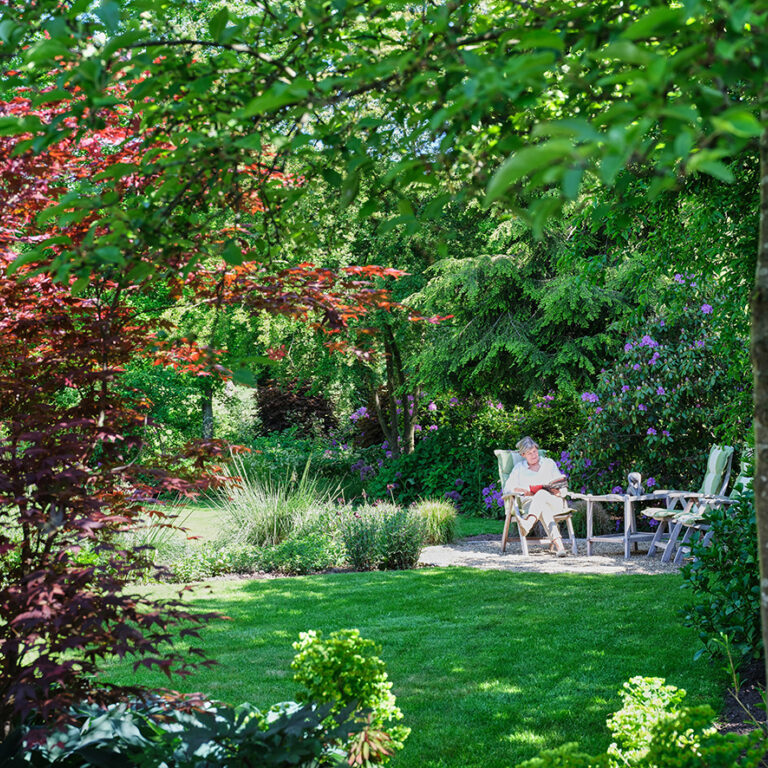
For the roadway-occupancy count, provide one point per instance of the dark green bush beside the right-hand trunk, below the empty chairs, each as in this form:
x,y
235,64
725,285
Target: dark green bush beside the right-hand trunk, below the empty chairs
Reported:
x,y
724,579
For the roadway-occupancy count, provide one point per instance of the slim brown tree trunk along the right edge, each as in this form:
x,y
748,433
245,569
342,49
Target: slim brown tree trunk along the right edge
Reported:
x,y
760,373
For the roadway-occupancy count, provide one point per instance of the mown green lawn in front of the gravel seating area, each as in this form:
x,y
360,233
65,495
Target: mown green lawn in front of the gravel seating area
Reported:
x,y
489,667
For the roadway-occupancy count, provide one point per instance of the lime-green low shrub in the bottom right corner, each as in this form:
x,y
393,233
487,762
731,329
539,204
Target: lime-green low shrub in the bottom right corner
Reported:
x,y
654,730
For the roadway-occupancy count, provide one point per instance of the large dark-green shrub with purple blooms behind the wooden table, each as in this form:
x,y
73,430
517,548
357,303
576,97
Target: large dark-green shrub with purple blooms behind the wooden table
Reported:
x,y
677,387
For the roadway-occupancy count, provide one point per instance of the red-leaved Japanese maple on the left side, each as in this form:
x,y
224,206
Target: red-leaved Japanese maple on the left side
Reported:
x,y
73,476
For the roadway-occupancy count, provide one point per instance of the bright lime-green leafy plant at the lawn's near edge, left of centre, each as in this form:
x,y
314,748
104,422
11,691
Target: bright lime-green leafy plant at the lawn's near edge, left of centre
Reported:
x,y
345,670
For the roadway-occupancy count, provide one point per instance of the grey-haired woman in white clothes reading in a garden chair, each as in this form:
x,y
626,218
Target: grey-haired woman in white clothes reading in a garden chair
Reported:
x,y
541,483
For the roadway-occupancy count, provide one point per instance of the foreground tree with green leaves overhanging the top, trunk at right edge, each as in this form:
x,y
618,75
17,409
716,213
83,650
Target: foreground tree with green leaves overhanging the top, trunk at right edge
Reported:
x,y
515,104
